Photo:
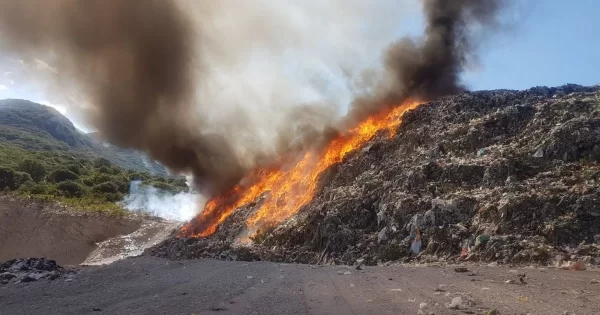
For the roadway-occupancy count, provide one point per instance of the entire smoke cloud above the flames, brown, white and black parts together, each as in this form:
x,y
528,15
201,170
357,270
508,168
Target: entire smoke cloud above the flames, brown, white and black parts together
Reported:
x,y
215,88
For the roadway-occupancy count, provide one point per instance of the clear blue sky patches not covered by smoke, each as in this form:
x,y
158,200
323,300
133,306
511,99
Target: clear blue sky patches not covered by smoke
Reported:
x,y
555,42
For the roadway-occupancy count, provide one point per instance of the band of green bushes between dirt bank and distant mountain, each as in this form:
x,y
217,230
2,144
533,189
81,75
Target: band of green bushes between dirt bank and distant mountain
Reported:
x,y
89,183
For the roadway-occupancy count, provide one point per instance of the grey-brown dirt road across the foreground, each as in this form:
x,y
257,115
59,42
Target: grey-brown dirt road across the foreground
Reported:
x,y
150,285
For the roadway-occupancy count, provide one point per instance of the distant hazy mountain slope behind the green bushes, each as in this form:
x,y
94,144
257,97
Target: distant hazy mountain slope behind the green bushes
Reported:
x,y
37,127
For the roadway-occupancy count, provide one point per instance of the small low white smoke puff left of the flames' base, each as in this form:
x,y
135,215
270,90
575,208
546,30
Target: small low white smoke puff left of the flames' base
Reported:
x,y
181,207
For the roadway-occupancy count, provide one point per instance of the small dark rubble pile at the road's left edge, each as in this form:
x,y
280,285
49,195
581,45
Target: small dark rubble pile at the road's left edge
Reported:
x,y
31,269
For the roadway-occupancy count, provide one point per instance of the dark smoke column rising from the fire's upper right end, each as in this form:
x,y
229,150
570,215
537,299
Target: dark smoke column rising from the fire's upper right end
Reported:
x,y
429,67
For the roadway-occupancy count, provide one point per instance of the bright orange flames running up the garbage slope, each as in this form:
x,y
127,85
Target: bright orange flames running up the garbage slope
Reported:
x,y
290,189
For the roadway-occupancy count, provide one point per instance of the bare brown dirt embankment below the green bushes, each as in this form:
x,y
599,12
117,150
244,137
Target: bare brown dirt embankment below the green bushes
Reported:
x,y
36,229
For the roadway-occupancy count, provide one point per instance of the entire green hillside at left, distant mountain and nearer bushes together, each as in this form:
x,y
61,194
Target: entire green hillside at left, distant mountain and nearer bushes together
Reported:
x,y
43,156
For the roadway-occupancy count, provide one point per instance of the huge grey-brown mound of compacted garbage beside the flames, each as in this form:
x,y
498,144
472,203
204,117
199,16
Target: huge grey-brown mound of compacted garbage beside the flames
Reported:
x,y
505,176
